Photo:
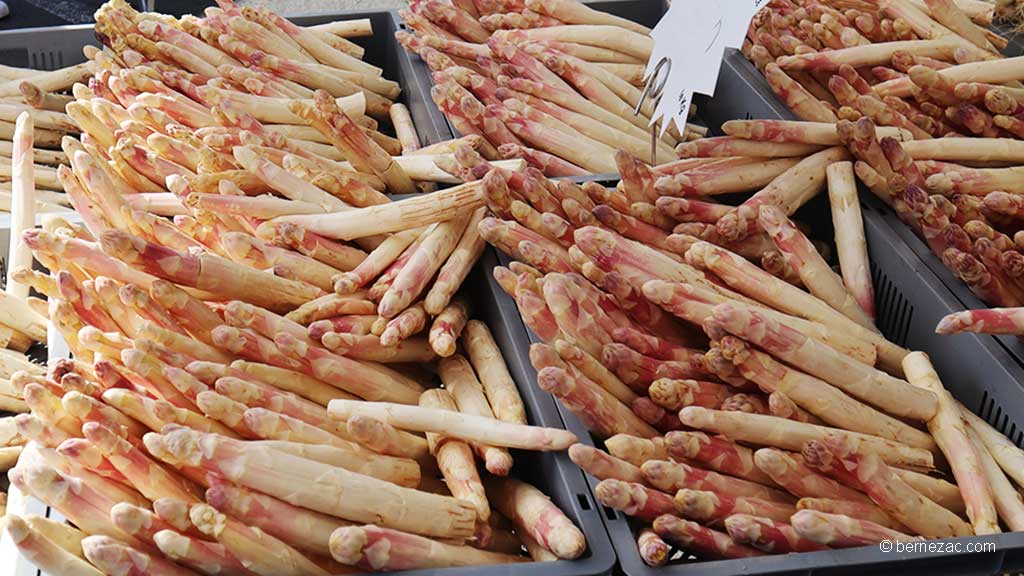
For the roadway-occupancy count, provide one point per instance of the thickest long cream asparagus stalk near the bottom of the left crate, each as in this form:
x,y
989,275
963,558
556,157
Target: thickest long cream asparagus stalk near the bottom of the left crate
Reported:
x,y
278,474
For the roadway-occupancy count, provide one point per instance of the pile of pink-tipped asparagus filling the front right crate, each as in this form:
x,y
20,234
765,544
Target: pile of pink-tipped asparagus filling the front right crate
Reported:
x,y
743,412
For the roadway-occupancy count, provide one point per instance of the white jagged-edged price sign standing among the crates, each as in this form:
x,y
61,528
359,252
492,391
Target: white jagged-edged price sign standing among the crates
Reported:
x,y
692,38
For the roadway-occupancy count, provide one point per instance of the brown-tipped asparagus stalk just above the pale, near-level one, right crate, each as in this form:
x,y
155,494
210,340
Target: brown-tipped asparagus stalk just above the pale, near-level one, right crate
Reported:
x,y
839,410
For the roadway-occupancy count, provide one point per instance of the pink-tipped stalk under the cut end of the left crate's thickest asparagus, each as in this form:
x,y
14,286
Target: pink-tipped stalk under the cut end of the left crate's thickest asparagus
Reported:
x,y
362,546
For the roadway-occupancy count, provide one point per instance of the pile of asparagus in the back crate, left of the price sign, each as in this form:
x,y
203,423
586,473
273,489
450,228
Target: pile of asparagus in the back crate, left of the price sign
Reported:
x,y
554,84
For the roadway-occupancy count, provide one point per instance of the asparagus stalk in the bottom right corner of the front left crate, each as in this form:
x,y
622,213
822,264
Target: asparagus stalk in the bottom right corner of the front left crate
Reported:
x,y
534,514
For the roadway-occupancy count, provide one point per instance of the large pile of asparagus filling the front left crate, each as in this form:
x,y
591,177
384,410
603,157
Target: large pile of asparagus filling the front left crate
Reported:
x,y
221,437
